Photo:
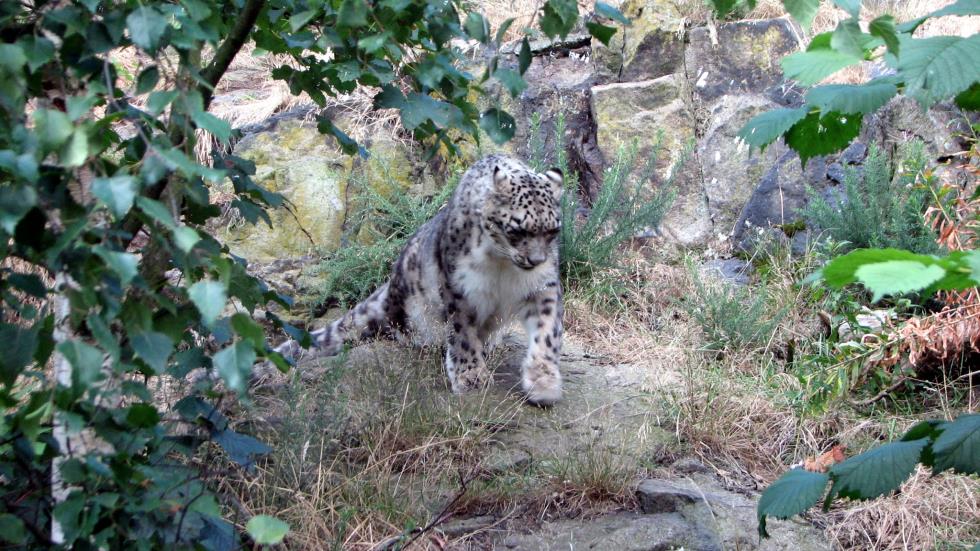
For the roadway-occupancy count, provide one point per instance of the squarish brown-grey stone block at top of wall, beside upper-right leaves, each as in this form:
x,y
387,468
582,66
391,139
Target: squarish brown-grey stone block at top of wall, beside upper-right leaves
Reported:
x,y
741,57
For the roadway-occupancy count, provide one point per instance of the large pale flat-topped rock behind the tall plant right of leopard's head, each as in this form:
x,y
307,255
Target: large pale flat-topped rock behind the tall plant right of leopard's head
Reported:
x,y
644,111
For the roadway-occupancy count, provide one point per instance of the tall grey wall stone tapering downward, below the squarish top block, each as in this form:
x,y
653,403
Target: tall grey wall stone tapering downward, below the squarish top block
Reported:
x,y
730,170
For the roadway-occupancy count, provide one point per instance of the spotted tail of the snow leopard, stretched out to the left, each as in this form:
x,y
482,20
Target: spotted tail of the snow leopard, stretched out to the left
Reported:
x,y
362,322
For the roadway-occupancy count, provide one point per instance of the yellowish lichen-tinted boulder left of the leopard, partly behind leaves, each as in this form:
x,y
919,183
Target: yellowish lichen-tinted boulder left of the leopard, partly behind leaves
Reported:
x,y
292,158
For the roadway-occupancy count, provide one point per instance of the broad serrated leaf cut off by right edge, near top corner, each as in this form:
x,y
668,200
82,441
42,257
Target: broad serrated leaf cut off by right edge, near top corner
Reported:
x,y
939,67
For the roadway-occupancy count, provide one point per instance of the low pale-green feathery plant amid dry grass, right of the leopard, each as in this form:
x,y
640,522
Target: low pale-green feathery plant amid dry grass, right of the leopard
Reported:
x,y
732,317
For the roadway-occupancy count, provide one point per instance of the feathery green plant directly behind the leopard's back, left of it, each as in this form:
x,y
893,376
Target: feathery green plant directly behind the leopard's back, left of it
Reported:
x,y
354,271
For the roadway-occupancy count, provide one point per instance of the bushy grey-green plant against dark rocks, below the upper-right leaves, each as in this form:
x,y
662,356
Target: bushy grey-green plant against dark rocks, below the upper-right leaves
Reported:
x,y
878,209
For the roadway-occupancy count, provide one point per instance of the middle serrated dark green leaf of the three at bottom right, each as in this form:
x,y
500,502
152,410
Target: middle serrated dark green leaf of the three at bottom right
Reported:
x,y
875,472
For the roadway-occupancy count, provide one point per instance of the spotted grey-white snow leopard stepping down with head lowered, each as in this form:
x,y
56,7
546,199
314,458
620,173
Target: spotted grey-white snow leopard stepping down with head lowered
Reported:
x,y
489,257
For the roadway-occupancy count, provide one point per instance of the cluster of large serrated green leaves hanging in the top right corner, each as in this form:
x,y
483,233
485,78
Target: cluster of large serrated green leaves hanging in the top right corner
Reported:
x,y
927,69
